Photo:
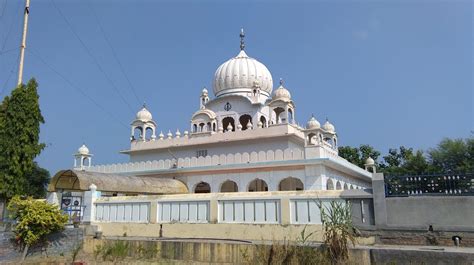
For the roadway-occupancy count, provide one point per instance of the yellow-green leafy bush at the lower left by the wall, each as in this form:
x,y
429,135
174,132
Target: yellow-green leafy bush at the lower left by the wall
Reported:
x,y
34,219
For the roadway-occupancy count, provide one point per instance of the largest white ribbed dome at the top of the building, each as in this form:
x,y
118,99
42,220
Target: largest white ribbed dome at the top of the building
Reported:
x,y
242,74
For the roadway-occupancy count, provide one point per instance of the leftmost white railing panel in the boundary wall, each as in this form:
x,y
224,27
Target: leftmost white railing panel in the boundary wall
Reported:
x,y
130,212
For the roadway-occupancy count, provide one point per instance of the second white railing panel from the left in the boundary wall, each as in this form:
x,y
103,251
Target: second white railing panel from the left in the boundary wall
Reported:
x,y
183,212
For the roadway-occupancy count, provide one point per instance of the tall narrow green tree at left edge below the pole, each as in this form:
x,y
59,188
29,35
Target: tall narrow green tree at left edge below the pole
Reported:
x,y
20,119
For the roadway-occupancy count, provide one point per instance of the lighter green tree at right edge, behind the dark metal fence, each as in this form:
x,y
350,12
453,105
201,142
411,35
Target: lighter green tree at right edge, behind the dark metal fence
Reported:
x,y
453,155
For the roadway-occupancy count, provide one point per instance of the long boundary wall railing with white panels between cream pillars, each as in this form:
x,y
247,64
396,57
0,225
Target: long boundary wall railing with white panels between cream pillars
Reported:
x,y
237,208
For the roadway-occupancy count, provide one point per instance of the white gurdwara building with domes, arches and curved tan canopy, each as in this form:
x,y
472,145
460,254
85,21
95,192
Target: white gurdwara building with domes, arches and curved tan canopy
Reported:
x,y
243,139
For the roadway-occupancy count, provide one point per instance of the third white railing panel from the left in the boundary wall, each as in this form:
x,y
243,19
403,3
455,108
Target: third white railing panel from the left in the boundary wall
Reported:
x,y
249,211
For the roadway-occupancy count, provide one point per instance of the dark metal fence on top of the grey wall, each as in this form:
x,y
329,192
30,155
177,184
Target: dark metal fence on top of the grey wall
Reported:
x,y
446,184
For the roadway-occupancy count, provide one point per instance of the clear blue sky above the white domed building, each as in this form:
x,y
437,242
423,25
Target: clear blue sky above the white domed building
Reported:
x,y
386,73
